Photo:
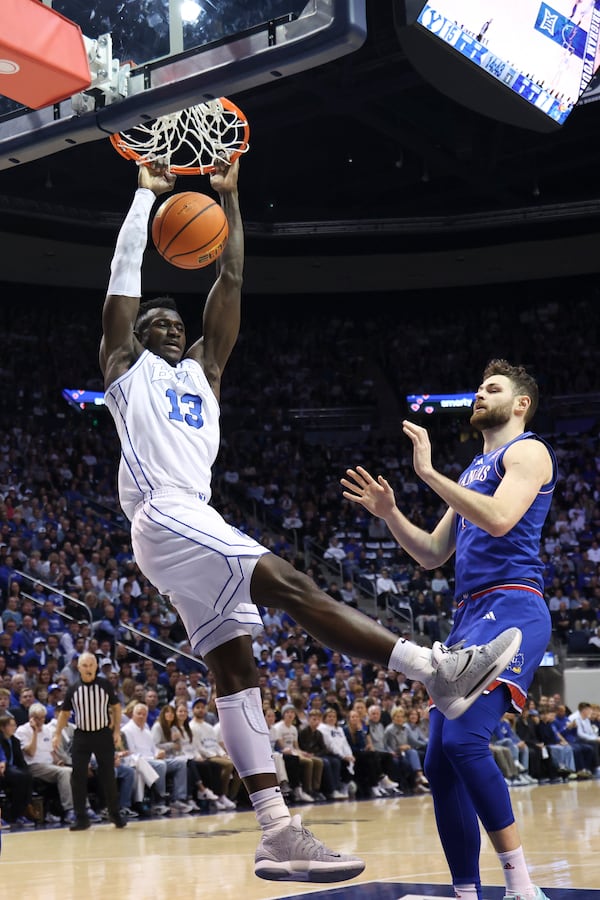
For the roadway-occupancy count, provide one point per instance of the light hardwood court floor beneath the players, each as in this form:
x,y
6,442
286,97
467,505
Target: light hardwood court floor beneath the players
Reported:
x,y
211,856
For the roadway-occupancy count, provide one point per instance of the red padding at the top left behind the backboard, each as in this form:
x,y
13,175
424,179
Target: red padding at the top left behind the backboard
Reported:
x,y
43,58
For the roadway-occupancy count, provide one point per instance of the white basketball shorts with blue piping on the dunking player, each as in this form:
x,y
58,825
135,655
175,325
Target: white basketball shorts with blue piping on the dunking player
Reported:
x,y
190,553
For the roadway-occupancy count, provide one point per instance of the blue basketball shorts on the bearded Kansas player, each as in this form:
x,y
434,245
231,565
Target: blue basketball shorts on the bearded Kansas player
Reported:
x,y
485,614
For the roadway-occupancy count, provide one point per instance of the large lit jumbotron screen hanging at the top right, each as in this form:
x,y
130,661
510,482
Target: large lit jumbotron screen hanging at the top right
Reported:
x,y
542,53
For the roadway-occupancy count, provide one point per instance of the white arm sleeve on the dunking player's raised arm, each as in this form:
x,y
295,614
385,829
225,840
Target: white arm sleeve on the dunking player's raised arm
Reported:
x,y
126,267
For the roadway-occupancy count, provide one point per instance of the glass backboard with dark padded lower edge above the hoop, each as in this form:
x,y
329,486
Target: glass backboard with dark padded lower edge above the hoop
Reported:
x,y
176,53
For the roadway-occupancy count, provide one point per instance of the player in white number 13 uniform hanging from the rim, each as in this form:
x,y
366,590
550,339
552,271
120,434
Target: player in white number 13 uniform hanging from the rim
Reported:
x,y
164,400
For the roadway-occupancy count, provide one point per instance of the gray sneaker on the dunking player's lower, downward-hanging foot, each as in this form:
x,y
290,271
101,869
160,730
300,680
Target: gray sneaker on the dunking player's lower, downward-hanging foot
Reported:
x,y
294,854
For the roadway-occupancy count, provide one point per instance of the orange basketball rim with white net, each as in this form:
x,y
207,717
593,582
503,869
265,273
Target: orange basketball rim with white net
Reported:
x,y
189,140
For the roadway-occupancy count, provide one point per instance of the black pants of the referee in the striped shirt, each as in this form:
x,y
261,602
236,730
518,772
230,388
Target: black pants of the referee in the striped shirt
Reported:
x,y
101,745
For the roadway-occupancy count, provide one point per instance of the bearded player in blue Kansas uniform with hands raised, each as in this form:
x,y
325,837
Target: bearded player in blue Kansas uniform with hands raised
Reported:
x,y
494,523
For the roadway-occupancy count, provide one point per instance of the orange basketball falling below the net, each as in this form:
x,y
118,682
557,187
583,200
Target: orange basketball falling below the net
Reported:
x,y
190,230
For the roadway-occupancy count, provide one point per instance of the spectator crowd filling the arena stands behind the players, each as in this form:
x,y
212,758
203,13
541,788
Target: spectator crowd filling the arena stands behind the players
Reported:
x,y
340,727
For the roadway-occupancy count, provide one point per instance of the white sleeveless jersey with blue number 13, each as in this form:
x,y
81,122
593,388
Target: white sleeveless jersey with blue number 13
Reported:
x,y
167,419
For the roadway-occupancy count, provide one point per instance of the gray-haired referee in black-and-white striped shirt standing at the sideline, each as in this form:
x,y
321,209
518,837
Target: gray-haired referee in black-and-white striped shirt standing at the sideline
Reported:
x,y
97,714
